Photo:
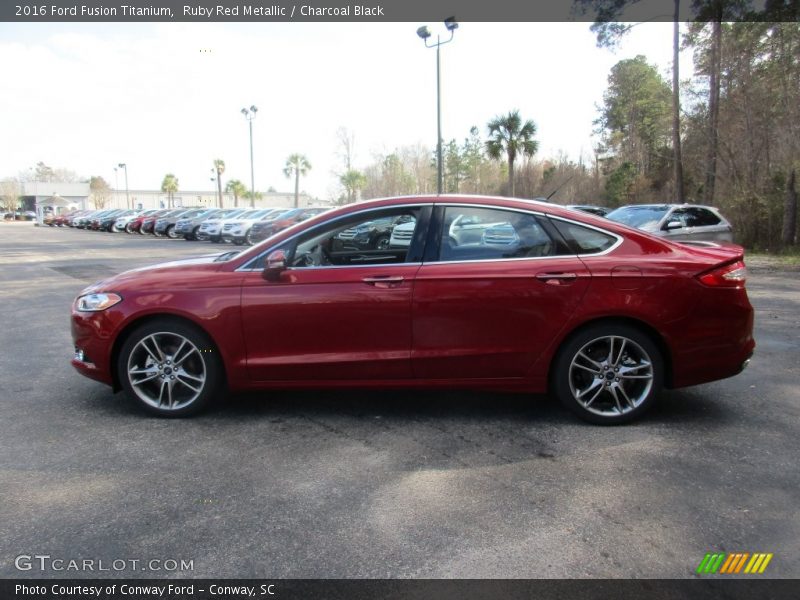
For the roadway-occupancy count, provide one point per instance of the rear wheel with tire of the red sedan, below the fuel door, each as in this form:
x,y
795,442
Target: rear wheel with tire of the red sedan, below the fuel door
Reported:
x,y
588,374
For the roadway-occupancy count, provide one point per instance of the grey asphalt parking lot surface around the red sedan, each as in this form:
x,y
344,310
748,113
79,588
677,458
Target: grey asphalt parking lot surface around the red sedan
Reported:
x,y
380,484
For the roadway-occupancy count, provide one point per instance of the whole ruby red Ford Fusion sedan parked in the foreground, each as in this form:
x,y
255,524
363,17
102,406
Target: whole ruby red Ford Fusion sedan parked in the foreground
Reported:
x,y
491,293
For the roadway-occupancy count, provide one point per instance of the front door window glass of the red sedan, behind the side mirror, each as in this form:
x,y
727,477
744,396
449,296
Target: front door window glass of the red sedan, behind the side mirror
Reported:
x,y
362,239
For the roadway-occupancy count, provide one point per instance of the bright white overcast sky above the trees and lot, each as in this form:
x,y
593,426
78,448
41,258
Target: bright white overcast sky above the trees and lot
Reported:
x,y
166,97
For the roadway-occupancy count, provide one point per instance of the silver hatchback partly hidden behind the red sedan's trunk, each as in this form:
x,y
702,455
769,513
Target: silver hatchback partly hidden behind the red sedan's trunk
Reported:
x,y
678,222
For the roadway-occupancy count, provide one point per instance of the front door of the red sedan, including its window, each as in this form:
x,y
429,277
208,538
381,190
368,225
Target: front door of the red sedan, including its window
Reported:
x,y
341,311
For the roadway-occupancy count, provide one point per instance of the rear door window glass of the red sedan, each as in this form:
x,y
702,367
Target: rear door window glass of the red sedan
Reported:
x,y
472,233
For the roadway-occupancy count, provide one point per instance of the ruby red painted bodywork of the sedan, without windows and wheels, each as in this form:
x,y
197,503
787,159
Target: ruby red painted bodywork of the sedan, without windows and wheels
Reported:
x,y
473,324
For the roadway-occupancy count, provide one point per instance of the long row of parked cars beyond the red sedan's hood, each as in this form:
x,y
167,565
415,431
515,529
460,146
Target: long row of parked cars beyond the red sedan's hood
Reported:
x,y
232,225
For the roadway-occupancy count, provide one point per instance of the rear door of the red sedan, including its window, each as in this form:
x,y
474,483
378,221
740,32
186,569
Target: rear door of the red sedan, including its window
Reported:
x,y
487,305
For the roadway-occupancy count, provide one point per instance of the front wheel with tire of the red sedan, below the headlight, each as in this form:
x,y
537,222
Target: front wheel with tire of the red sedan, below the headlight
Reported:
x,y
148,373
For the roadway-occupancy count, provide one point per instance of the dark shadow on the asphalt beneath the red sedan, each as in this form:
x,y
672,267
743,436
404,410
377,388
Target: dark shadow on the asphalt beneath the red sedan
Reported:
x,y
674,407
